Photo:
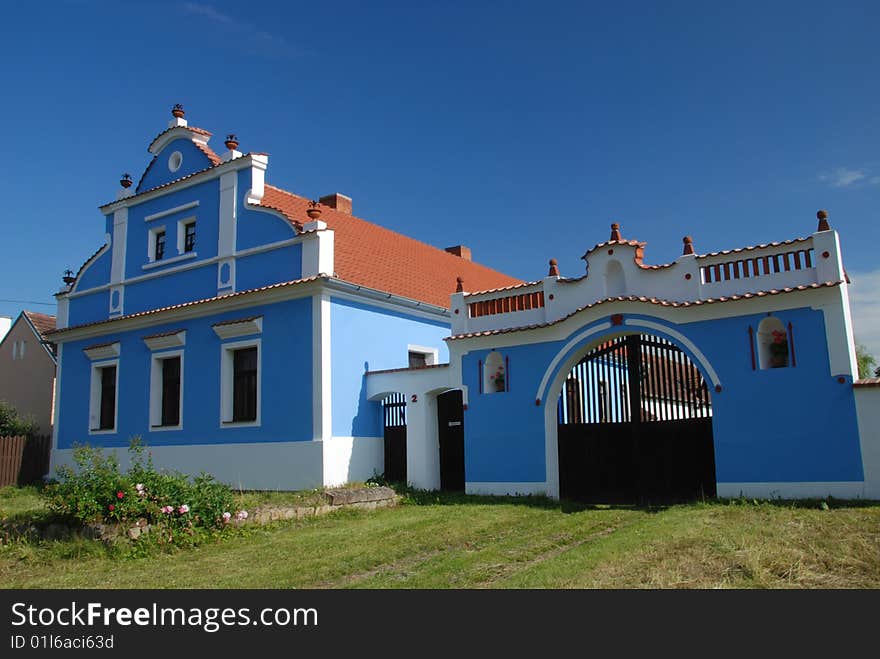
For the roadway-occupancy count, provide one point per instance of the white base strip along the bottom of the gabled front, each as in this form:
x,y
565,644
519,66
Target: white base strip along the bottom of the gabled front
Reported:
x,y
246,465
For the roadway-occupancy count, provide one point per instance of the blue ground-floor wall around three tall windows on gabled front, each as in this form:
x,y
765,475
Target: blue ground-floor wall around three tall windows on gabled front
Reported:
x,y
286,382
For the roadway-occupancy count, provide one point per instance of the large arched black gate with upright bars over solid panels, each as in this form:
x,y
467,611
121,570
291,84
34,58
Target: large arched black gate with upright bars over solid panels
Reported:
x,y
635,425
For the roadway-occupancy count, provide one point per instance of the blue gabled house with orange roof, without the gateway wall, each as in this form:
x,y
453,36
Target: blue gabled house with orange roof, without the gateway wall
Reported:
x,y
230,323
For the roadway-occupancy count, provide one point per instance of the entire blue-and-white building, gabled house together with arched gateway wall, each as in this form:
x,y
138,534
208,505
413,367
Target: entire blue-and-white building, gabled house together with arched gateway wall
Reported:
x,y
242,330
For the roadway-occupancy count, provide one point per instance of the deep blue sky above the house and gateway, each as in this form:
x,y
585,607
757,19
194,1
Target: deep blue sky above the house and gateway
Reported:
x,y
521,129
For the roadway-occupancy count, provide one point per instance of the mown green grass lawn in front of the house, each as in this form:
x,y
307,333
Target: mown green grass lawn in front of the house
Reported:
x,y
447,541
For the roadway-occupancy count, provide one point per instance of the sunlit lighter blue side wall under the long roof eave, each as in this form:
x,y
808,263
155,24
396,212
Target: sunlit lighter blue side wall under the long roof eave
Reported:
x,y
368,338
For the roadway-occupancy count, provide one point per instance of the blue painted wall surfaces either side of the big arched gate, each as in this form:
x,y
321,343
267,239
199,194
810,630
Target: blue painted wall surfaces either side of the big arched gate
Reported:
x,y
801,421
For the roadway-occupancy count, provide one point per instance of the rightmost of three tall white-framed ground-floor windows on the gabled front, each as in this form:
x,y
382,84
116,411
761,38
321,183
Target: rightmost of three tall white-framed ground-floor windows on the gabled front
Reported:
x,y
240,375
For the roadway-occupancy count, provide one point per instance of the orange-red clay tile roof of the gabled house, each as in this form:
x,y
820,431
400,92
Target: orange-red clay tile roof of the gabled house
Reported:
x,y
376,257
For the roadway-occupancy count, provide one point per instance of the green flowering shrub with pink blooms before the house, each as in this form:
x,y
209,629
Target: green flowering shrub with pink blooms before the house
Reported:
x,y
96,490
